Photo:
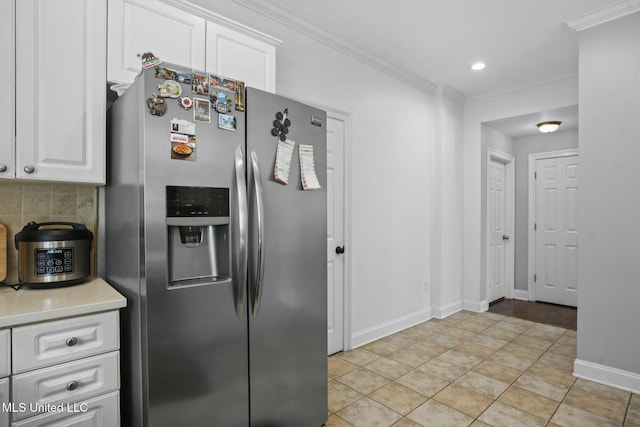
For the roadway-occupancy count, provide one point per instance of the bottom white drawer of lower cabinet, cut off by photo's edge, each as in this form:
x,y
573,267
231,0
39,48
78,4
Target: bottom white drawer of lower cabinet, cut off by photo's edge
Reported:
x,y
98,412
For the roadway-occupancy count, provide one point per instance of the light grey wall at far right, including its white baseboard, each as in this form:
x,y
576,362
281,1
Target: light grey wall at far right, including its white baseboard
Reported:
x,y
609,203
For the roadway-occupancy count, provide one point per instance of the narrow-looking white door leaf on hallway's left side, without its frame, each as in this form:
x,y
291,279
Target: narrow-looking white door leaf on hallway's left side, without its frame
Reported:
x,y
497,236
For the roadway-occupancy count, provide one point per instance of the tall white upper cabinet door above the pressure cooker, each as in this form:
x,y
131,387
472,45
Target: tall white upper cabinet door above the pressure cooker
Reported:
x,y
60,90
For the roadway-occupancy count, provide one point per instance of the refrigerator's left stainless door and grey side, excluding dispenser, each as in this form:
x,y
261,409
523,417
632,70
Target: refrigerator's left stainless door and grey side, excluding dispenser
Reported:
x,y
184,350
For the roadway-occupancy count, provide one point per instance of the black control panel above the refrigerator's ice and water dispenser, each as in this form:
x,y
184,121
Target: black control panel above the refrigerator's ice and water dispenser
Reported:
x,y
197,202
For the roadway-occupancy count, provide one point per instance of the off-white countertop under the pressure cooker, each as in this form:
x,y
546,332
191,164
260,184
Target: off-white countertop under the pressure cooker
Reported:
x,y
36,305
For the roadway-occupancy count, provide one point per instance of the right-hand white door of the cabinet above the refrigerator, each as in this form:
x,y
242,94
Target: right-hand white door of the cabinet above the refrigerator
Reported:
x,y
240,57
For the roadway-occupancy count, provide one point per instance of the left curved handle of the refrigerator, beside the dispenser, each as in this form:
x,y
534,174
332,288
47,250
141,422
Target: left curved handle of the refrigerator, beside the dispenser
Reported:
x,y
240,249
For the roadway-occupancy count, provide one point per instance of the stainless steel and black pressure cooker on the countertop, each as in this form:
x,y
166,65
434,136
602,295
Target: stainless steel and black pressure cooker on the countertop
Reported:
x,y
52,254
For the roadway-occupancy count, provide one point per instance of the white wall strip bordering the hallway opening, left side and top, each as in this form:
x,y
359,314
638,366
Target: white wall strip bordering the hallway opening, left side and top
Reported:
x,y
540,98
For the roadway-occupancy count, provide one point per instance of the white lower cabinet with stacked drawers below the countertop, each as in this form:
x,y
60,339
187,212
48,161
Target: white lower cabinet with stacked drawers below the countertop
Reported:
x,y
65,373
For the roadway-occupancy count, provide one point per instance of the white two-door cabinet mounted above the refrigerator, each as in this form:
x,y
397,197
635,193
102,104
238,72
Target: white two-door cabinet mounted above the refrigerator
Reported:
x,y
190,36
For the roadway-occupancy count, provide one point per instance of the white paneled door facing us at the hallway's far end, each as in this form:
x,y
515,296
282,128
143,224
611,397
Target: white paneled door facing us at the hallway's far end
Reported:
x,y
556,231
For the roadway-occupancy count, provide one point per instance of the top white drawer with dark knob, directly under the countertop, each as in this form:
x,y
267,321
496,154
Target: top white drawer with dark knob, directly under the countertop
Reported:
x,y
44,344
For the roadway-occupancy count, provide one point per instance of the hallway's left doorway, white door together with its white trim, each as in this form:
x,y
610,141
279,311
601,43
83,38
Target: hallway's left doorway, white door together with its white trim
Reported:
x,y
500,225
